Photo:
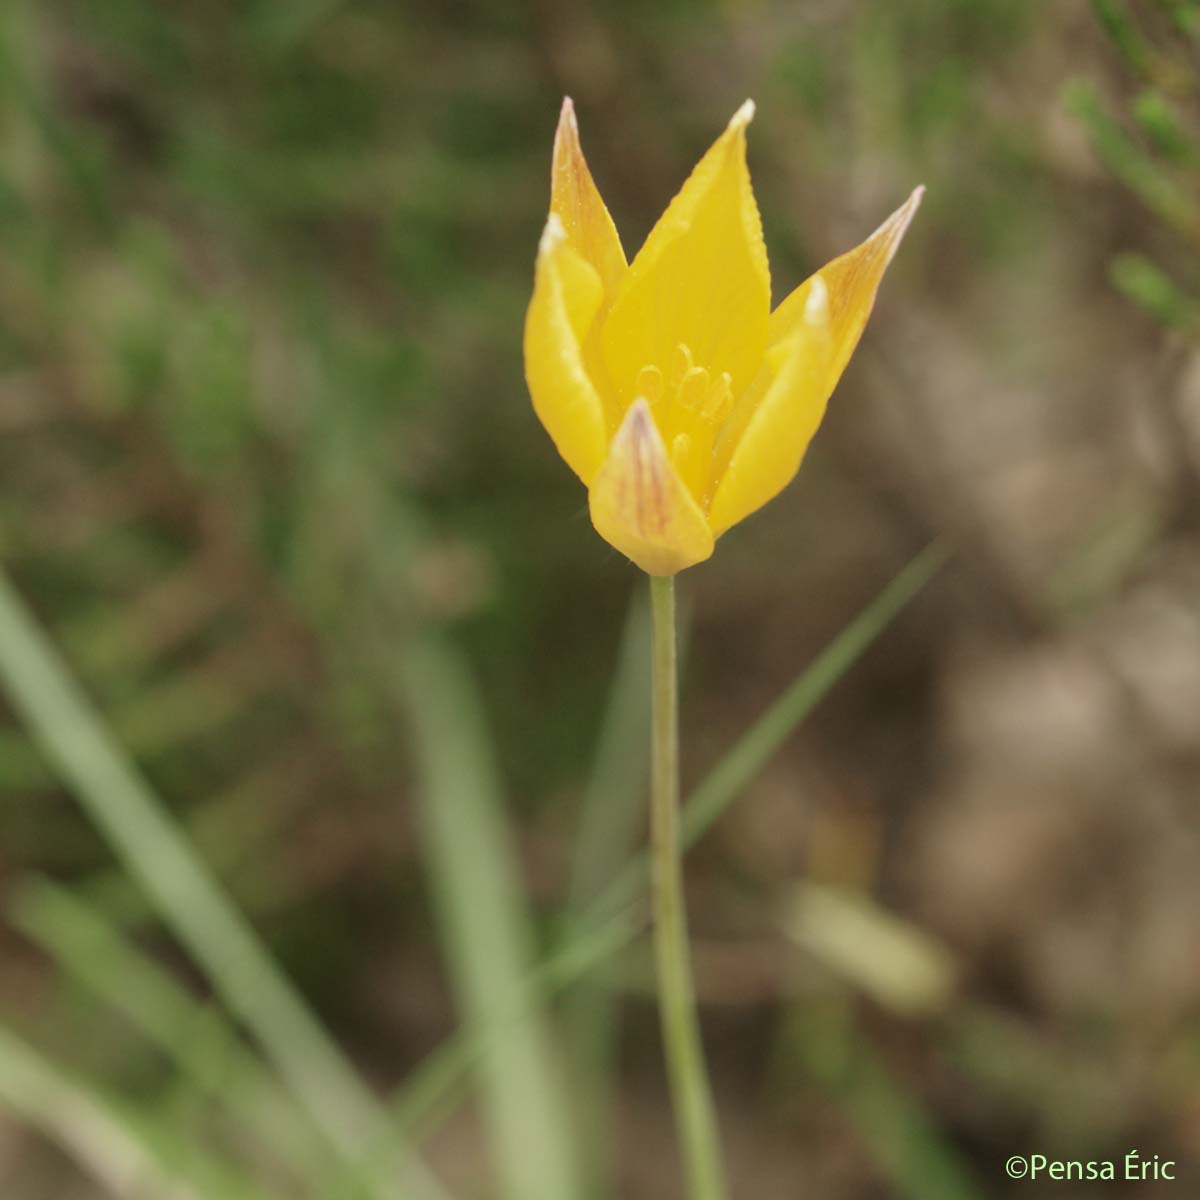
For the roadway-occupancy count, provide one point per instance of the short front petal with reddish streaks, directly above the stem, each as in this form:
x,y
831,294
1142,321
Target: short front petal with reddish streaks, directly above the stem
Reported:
x,y
640,505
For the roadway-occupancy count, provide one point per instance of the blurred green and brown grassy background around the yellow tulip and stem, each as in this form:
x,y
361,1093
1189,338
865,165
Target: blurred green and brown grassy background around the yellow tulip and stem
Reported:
x,y
325,716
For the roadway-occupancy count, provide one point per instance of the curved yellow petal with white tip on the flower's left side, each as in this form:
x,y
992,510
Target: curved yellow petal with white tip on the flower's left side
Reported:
x,y
567,297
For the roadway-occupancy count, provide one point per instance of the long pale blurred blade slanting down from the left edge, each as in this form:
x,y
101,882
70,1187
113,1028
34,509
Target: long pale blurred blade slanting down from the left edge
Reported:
x,y
190,899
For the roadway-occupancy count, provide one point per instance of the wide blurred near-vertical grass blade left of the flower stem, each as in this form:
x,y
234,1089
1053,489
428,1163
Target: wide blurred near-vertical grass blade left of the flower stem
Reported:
x,y
487,927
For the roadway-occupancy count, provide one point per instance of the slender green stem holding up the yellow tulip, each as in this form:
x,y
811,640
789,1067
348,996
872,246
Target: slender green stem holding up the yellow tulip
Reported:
x,y
691,1094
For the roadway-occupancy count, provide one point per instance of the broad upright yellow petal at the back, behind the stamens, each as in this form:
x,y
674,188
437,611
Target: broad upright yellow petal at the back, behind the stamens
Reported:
x,y
701,279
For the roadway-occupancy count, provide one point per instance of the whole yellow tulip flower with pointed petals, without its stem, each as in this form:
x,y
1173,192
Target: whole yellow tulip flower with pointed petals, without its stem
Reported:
x,y
669,386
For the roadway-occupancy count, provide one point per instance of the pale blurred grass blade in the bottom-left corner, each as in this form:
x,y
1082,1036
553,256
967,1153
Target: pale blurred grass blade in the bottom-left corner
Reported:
x,y
110,1148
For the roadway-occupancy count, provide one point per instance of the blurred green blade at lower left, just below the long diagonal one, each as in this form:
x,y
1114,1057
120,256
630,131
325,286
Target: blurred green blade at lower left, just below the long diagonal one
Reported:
x,y
209,1054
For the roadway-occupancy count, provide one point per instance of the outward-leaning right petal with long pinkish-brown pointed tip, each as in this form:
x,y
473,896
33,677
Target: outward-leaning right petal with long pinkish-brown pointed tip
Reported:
x,y
853,280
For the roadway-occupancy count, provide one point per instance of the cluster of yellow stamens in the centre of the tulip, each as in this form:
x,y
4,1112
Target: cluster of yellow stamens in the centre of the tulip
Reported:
x,y
689,409
